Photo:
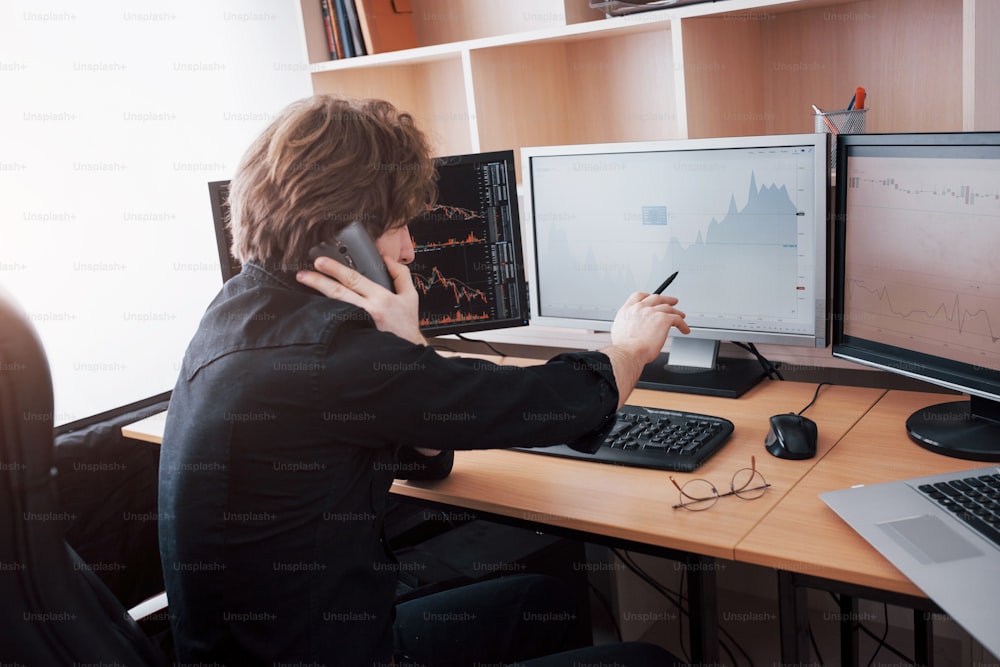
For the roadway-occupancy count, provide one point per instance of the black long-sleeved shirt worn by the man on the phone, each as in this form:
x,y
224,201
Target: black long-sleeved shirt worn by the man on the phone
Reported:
x,y
291,417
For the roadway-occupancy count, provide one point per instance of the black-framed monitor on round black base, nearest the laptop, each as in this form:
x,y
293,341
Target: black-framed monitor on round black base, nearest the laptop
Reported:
x,y
917,279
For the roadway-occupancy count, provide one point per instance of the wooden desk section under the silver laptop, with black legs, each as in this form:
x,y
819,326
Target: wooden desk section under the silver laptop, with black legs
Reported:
x,y
811,547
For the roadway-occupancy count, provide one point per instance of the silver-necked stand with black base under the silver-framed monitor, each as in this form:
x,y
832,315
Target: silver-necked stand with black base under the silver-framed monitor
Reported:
x,y
694,367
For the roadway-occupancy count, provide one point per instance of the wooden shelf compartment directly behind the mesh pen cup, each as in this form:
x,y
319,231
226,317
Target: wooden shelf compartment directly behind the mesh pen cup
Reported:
x,y
761,74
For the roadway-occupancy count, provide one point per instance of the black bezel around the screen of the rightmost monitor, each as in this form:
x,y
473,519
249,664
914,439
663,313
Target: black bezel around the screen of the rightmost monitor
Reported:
x,y
938,371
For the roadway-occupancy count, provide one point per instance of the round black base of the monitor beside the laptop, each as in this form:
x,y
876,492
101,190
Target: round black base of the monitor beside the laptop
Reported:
x,y
961,429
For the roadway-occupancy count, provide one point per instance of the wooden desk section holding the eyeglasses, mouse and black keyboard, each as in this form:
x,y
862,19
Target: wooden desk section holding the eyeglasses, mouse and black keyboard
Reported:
x,y
635,505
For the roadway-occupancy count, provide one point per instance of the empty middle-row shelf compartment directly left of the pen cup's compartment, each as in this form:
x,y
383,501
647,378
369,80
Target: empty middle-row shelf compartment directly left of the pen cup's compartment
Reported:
x,y
606,88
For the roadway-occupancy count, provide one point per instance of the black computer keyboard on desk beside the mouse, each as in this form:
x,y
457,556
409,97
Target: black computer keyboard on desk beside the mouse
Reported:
x,y
654,438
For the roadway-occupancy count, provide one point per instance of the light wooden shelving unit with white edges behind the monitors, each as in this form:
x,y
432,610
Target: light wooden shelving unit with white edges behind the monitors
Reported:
x,y
497,75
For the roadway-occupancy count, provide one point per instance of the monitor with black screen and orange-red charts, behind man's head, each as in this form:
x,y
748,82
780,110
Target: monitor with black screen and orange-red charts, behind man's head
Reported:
x,y
469,264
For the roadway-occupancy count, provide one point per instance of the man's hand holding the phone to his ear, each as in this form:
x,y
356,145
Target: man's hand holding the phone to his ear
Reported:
x,y
393,312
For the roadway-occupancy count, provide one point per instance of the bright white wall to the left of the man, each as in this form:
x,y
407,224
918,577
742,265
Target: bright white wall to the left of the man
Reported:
x,y
114,116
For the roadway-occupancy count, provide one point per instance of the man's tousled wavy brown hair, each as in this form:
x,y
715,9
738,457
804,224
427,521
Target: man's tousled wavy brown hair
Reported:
x,y
322,163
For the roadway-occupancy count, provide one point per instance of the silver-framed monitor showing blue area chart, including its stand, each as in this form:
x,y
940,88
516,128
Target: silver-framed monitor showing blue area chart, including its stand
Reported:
x,y
743,220
